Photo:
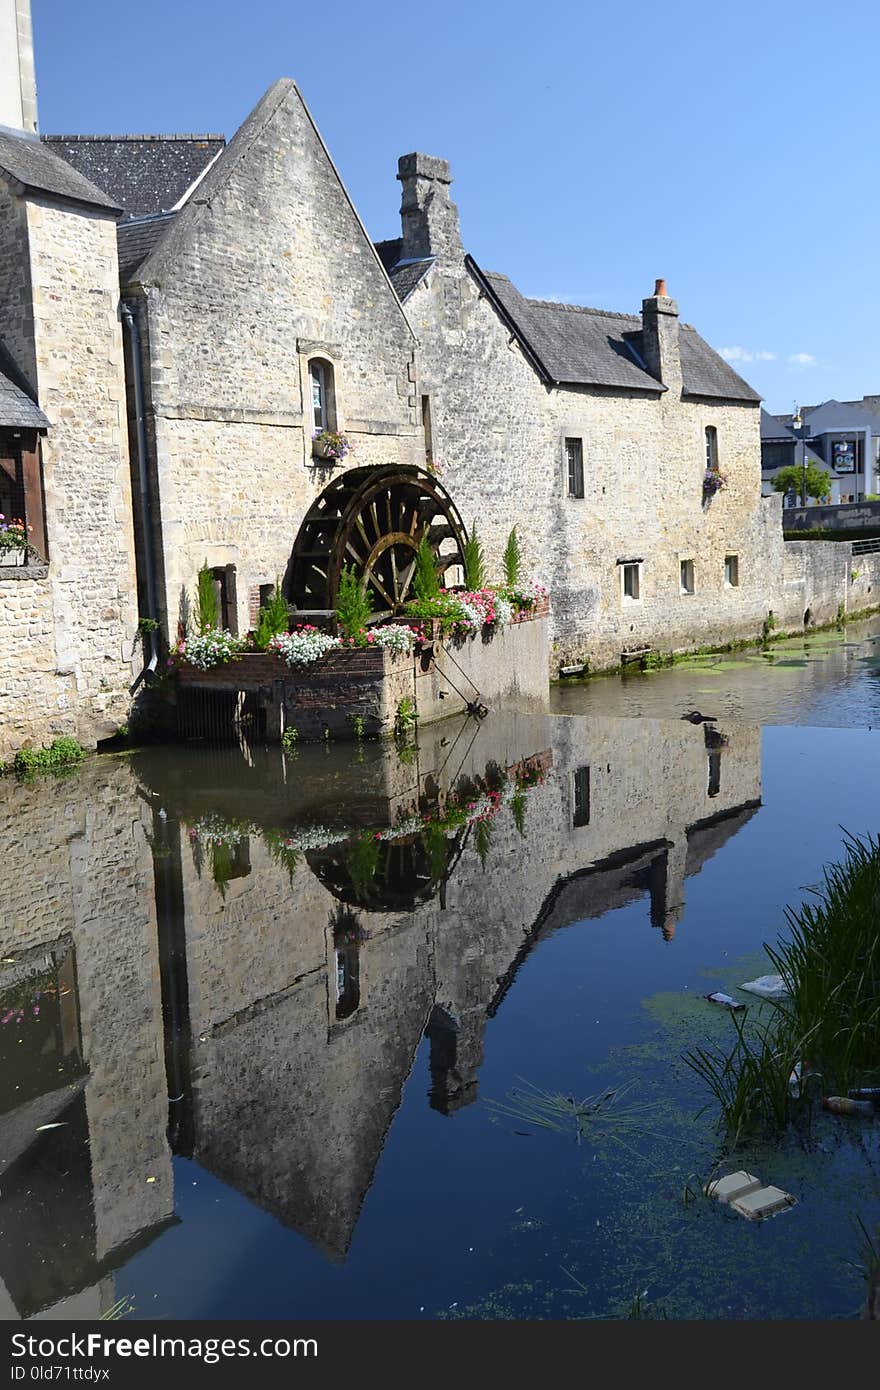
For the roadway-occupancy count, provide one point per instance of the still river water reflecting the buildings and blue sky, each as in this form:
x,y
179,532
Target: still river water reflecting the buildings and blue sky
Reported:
x,y
265,1018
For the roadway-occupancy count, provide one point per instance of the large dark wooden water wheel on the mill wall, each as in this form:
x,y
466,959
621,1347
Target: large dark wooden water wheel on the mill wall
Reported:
x,y
375,519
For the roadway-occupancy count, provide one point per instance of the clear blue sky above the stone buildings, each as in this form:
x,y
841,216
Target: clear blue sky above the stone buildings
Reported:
x,y
594,147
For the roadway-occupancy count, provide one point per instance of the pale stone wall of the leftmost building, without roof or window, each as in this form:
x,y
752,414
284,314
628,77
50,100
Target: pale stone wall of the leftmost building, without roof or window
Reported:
x,y
67,636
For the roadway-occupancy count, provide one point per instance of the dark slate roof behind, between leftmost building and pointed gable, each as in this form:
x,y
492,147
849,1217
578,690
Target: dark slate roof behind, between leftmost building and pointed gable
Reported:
x,y
144,173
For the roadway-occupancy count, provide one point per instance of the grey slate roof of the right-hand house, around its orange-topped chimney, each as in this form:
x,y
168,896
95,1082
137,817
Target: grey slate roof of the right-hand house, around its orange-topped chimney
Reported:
x,y
598,348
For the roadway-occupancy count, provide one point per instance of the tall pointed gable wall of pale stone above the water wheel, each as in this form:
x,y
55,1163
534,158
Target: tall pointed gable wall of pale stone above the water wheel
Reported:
x,y
266,269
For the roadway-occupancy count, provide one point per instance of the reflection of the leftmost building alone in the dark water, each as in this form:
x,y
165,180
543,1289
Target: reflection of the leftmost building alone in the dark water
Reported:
x,y
79,943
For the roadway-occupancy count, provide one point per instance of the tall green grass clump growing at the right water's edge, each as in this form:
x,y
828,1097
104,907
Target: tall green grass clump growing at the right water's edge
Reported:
x,y
829,1027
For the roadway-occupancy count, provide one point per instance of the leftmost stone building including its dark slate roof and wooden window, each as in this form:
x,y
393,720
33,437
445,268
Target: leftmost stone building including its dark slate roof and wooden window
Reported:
x,y
69,615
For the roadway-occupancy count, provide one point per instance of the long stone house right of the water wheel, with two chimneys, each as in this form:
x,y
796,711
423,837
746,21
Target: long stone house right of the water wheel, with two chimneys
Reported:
x,y
592,432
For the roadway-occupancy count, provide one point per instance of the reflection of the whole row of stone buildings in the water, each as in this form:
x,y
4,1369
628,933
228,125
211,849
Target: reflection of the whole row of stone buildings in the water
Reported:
x,y
236,956
